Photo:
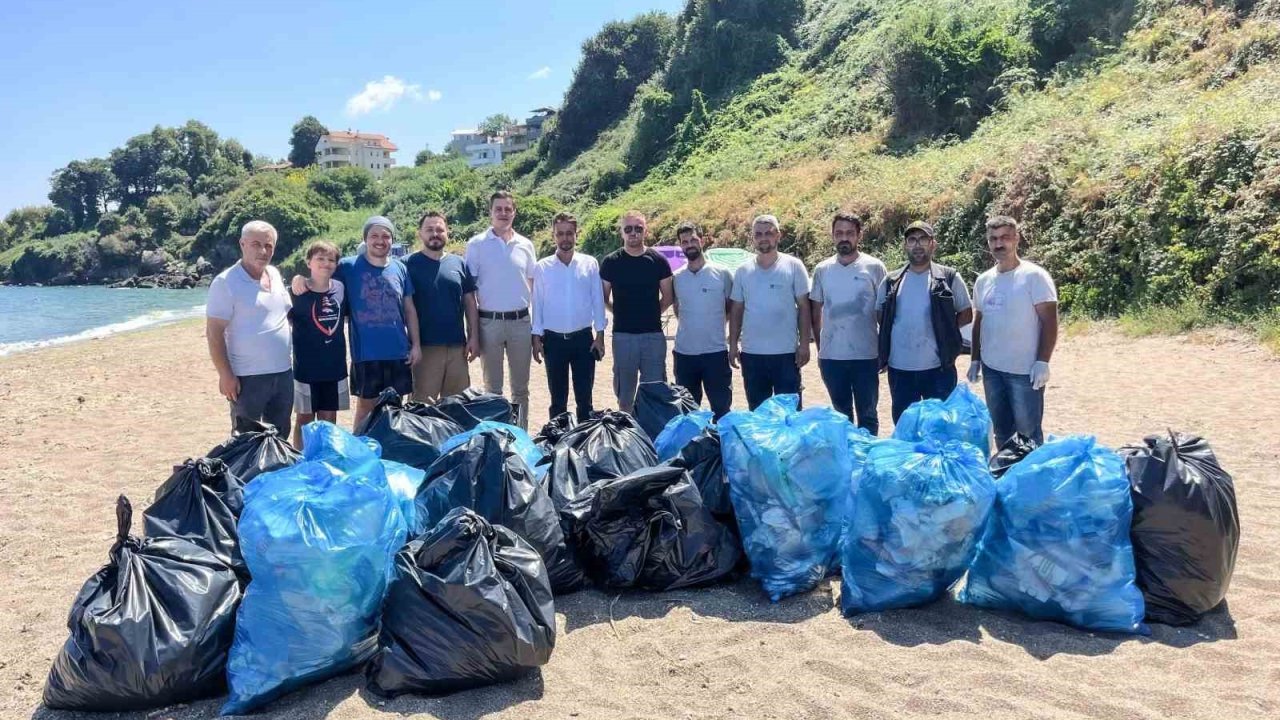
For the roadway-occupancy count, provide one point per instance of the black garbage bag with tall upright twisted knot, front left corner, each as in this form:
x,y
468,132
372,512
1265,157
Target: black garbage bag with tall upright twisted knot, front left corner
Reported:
x,y
149,630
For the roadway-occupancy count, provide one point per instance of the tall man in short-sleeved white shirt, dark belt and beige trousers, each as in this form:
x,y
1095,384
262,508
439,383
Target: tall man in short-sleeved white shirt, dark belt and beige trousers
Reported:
x,y
502,263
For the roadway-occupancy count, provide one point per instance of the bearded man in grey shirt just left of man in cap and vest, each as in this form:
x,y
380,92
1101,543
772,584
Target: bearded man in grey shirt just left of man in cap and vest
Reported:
x,y
844,321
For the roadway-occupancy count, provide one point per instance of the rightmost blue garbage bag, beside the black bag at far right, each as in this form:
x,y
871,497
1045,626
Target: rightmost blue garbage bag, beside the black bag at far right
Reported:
x,y
1058,544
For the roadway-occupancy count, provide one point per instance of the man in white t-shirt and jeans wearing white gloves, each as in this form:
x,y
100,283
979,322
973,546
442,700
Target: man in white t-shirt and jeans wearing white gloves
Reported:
x,y
1014,334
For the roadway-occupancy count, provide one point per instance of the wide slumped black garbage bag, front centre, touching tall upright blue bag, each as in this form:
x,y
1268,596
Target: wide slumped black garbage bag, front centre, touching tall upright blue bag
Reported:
x,y
651,531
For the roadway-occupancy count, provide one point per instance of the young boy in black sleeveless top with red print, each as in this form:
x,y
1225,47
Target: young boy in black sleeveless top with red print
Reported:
x,y
319,343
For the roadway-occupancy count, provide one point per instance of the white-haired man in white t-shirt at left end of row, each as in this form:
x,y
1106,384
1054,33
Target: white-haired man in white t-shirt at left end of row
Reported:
x,y
248,330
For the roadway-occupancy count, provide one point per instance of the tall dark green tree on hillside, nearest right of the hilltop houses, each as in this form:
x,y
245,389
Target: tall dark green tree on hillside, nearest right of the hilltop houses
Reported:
x,y
616,62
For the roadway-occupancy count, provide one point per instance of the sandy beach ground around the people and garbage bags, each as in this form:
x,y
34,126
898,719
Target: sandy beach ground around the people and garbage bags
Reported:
x,y
85,423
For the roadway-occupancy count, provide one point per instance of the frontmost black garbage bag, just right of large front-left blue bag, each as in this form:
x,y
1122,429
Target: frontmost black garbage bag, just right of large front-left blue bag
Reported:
x,y
470,605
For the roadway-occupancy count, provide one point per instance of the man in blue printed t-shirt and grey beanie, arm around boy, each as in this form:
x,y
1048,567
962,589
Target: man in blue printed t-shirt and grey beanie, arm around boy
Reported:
x,y
385,341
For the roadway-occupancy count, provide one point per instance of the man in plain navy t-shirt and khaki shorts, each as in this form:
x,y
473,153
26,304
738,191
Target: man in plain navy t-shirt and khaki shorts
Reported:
x,y
445,293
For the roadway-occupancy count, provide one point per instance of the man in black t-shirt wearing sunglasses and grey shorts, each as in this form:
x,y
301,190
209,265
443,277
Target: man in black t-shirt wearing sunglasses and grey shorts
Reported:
x,y
638,290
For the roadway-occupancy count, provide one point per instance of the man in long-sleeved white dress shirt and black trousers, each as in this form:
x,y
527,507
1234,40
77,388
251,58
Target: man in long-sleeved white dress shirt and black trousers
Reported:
x,y
569,306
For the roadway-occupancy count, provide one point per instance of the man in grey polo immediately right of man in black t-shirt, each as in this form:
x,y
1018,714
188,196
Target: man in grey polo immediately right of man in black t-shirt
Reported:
x,y
701,357
